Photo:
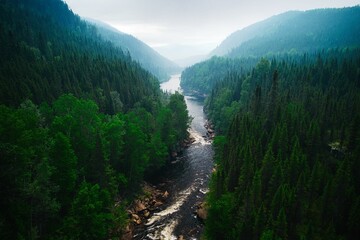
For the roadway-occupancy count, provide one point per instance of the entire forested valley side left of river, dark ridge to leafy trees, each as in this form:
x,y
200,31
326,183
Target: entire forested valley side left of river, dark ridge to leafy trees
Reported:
x,y
81,126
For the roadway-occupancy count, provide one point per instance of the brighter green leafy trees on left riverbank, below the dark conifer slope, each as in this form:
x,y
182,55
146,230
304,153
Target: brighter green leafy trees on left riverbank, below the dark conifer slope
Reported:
x,y
63,165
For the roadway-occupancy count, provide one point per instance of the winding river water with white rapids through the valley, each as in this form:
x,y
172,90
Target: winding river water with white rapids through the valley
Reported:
x,y
186,180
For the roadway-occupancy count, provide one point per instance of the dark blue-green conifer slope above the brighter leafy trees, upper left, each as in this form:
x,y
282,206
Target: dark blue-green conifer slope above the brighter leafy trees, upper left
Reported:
x,y
48,51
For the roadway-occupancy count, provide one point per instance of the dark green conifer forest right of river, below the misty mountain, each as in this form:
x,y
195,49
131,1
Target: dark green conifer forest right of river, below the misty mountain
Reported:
x,y
288,166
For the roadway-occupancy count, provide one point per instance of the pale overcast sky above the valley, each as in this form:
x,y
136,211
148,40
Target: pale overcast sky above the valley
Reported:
x,y
182,28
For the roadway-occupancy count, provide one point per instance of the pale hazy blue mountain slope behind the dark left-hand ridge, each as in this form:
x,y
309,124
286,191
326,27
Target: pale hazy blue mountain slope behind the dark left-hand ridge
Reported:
x,y
148,58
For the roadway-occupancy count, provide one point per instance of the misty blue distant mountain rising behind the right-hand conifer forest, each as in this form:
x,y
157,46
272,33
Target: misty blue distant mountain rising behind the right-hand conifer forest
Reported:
x,y
295,32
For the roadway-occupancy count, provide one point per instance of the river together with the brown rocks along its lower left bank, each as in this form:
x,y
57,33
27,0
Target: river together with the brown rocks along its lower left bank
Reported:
x,y
185,179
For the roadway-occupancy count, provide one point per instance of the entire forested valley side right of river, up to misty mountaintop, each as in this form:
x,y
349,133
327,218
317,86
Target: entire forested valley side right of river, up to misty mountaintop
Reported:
x,y
286,117
